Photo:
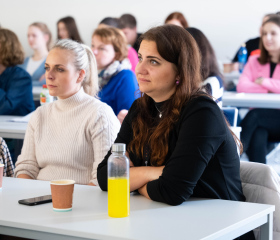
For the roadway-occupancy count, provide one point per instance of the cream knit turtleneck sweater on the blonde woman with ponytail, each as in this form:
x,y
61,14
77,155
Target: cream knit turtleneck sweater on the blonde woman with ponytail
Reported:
x,y
67,139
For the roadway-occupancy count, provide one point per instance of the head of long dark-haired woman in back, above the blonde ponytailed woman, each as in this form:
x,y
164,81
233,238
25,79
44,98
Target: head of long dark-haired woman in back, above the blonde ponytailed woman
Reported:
x,y
67,29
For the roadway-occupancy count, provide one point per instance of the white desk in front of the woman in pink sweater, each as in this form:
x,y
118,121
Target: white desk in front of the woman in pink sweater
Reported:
x,y
255,100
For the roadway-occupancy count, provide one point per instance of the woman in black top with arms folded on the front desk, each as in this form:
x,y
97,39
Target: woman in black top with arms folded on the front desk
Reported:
x,y
177,139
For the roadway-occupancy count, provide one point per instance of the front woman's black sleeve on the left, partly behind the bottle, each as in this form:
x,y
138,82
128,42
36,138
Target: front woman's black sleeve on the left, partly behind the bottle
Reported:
x,y
124,136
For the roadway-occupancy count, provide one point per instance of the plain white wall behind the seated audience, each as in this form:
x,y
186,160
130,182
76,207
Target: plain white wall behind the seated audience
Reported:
x,y
226,23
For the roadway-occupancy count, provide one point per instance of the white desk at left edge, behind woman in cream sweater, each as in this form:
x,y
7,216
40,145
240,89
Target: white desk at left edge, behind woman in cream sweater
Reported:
x,y
15,130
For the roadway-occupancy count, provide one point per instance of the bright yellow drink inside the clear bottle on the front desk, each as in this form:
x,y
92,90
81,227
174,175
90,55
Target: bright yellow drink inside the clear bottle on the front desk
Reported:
x,y
118,197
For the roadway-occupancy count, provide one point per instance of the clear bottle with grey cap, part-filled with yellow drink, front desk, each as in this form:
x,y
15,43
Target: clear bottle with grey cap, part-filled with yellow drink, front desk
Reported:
x,y
118,182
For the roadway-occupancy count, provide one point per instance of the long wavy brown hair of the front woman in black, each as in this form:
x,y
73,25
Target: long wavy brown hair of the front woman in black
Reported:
x,y
176,46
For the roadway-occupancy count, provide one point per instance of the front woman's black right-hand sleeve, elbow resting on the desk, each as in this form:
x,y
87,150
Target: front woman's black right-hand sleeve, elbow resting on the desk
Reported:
x,y
201,133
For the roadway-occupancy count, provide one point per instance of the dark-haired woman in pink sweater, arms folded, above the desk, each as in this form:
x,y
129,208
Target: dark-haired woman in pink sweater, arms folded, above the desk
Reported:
x,y
262,72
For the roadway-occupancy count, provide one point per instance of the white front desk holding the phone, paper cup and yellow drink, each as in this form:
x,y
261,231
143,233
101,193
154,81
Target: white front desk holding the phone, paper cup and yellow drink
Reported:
x,y
194,219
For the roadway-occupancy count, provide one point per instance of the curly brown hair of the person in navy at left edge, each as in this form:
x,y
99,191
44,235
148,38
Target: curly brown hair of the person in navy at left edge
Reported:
x,y
11,51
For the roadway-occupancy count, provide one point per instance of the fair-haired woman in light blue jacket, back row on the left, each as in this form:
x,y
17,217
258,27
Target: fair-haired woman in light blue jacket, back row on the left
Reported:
x,y
39,39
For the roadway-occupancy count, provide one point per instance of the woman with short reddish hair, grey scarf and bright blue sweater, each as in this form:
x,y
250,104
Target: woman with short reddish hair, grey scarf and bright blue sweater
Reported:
x,y
118,83
